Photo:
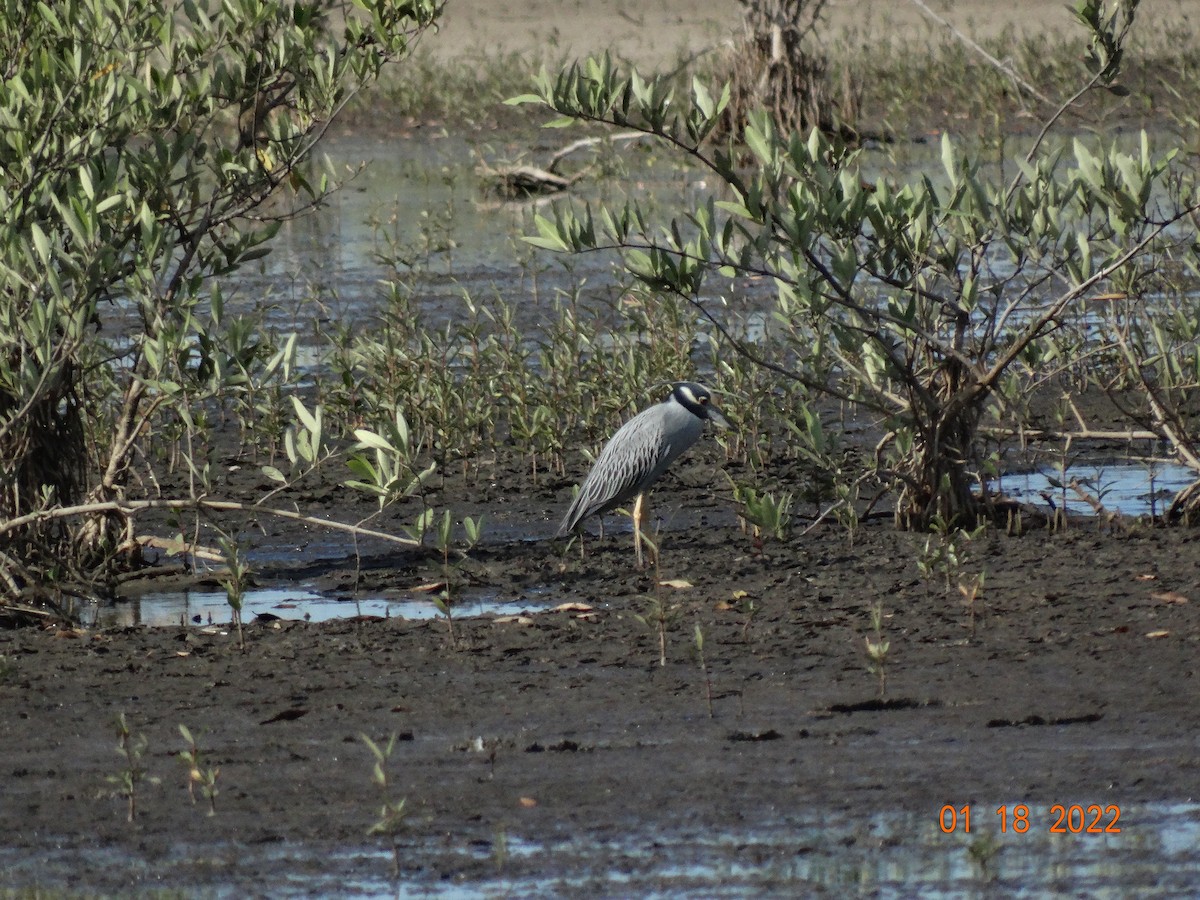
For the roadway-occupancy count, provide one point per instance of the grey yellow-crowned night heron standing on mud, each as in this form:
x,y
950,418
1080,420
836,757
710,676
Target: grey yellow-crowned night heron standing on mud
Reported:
x,y
640,453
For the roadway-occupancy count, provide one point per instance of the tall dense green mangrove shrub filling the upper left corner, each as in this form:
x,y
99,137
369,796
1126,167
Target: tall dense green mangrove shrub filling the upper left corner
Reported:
x,y
142,151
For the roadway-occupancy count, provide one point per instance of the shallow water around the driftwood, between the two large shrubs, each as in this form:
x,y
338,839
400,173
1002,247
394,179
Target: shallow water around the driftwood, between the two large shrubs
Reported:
x,y
419,208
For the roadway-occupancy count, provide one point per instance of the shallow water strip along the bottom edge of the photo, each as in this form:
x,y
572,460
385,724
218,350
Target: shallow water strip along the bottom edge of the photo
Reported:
x,y
827,853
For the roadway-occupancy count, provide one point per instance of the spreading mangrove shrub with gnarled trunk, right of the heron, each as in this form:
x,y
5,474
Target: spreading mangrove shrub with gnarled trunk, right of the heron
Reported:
x,y
933,305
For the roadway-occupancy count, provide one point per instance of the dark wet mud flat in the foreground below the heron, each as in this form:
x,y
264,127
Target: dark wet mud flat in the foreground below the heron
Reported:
x,y
1078,686
